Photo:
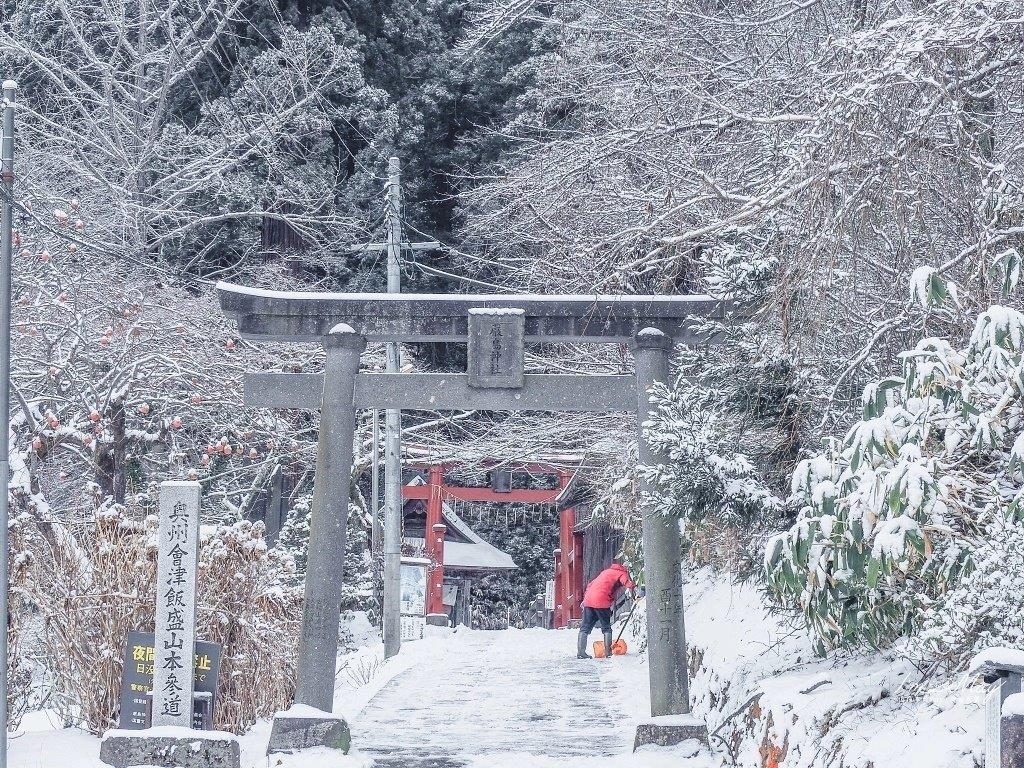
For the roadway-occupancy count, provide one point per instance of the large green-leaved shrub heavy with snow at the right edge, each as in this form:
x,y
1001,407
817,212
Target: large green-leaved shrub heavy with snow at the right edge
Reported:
x,y
898,514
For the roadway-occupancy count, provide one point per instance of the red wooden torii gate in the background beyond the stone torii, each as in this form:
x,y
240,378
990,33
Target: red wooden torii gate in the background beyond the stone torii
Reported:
x,y
569,557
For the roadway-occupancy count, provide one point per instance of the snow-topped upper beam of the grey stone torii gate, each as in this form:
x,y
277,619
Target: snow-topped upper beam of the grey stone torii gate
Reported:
x,y
301,317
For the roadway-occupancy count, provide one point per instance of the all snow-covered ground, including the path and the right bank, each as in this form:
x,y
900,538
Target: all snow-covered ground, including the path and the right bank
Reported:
x,y
519,699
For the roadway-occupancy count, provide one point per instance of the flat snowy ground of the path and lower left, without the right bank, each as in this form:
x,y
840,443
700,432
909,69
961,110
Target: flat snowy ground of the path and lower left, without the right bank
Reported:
x,y
477,700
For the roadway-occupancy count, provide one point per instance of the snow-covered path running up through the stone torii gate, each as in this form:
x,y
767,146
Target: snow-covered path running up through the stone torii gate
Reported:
x,y
497,694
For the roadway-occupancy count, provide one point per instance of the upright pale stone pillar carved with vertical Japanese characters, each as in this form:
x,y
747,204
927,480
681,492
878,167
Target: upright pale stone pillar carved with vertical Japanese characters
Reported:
x,y
176,636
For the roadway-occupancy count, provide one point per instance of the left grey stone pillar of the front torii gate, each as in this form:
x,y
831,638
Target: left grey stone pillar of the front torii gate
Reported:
x,y
319,639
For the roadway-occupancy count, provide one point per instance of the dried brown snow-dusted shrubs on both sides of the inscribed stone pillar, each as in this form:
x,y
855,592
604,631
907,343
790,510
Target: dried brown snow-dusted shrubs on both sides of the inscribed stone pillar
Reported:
x,y
93,584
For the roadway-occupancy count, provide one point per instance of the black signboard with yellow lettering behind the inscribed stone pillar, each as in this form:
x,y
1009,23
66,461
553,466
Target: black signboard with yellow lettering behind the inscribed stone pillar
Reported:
x,y
137,682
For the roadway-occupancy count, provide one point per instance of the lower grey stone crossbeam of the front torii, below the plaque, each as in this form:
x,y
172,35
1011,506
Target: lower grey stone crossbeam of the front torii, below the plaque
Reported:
x,y
570,394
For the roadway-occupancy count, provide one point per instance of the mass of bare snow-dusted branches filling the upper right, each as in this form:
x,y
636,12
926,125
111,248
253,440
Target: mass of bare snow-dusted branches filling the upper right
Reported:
x,y
872,140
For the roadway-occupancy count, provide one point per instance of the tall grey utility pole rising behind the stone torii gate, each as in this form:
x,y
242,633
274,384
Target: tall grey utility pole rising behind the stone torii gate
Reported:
x,y
393,436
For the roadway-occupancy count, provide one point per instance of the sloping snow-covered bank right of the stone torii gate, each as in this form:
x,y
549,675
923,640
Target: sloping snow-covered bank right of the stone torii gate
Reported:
x,y
860,711
